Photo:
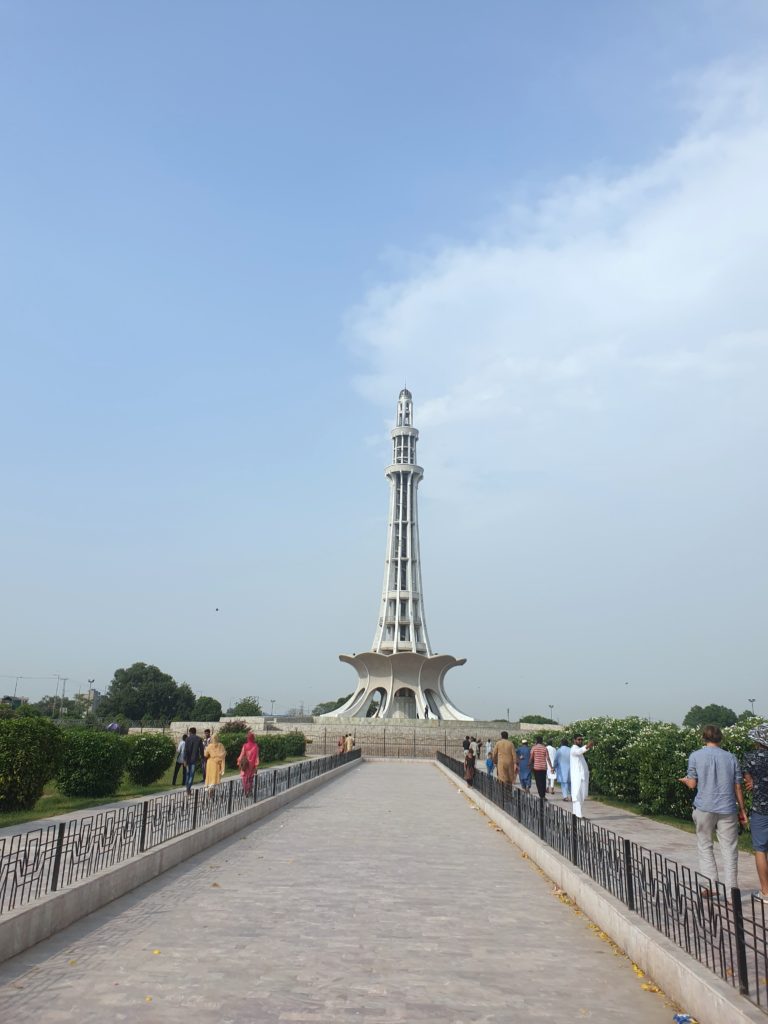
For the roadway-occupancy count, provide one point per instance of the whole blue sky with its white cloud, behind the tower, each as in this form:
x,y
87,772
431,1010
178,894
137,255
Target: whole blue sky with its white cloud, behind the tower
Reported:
x,y
231,233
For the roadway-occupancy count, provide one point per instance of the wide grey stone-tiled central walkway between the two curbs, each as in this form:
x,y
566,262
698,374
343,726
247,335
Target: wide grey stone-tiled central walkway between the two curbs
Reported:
x,y
385,897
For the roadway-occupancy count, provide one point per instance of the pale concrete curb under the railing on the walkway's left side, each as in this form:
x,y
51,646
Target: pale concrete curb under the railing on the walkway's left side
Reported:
x,y
30,925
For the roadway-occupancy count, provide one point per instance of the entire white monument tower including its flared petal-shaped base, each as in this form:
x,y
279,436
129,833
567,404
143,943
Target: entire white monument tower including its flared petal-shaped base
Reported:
x,y
401,669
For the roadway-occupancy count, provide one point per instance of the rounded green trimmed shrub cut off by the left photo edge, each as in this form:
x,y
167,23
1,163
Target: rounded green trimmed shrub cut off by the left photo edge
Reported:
x,y
30,753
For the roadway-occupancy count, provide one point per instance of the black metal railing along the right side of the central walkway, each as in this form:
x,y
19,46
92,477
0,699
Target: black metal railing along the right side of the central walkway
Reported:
x,y
721,929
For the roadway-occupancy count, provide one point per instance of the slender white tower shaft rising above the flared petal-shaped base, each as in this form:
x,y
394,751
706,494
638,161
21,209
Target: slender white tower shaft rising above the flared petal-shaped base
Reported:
x,y
402,624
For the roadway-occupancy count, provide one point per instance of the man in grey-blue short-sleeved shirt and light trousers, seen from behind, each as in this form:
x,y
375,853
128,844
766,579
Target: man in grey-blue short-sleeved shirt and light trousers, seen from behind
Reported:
x,y
719,805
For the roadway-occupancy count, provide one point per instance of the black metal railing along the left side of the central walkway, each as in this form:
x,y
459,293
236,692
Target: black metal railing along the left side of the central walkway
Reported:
x,y
45,861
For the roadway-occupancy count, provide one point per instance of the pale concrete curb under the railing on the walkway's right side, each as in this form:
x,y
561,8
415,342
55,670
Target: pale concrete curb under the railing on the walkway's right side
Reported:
x,y
696,990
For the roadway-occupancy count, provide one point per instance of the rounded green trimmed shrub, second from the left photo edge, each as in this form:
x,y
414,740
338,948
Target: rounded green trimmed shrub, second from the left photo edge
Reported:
x,y
93,764
